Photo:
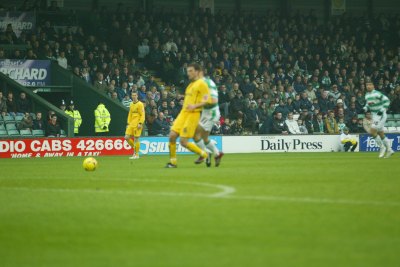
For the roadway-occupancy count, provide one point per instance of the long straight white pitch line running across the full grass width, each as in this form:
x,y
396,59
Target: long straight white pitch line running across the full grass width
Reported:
x,y
306,200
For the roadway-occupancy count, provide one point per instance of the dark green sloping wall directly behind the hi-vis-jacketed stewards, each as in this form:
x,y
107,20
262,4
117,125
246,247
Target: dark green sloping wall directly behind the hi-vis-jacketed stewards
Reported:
x,y
86,99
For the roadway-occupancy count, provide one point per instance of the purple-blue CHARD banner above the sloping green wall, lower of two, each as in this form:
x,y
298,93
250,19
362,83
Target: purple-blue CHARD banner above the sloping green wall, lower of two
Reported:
x,y
27,72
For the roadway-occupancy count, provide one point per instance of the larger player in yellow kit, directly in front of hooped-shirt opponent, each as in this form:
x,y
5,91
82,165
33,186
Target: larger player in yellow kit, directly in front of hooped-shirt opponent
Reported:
x,y
196,96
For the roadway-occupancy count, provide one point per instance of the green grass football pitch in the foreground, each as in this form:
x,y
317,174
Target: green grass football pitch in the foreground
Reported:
x,y
313,209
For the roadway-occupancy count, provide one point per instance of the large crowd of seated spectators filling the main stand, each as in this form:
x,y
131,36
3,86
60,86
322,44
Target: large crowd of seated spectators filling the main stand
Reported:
x,y
280,74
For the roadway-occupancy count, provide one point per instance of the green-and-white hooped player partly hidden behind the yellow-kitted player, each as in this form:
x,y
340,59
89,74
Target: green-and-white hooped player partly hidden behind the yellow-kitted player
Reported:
x,y
209,116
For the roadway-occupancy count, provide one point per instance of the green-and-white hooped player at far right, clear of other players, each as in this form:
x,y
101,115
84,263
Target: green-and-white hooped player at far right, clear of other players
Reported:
x,y
377,103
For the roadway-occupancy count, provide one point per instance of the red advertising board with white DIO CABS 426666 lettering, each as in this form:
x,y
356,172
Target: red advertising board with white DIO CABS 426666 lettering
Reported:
x,y
63,147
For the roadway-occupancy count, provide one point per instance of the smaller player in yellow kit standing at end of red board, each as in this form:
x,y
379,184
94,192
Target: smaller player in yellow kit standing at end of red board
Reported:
x,y
135,122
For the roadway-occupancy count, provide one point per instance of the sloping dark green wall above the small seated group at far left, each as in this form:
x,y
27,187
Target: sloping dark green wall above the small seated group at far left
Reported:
x,y
38,103
